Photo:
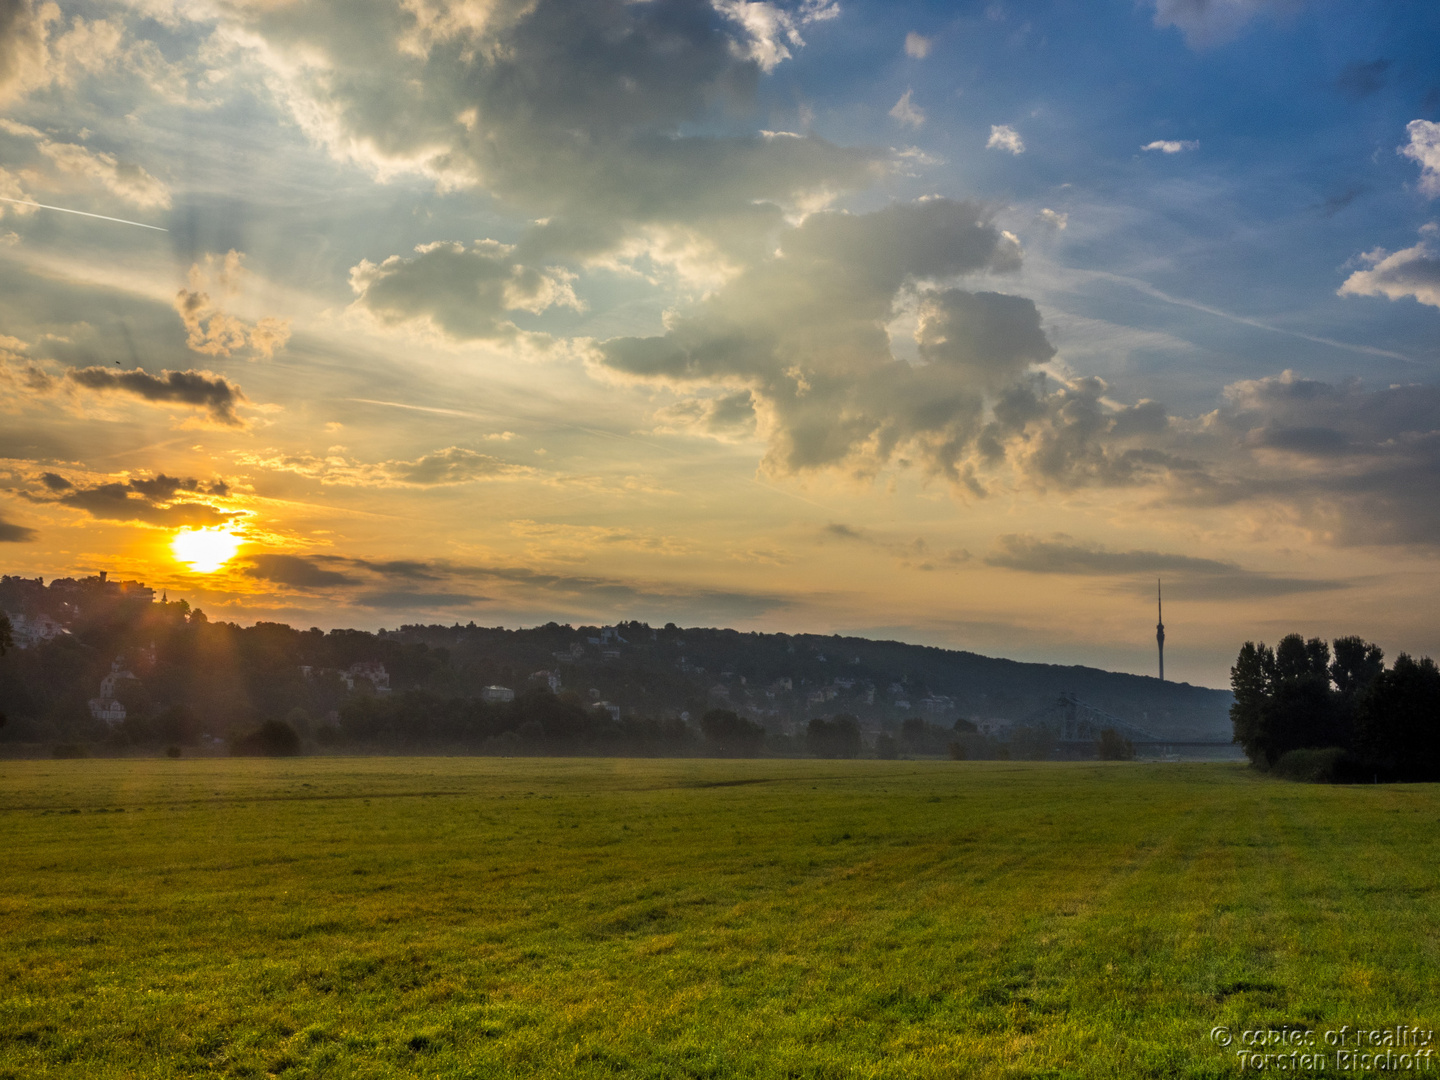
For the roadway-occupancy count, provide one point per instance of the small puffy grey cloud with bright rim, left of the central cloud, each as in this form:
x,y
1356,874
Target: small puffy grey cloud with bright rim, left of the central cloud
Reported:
x,y
463,293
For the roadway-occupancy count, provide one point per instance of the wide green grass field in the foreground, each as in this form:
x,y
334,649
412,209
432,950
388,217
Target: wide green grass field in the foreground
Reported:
x,y
570,918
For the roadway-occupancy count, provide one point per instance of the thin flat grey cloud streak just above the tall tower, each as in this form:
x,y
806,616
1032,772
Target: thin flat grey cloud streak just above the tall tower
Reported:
x,y
1186,575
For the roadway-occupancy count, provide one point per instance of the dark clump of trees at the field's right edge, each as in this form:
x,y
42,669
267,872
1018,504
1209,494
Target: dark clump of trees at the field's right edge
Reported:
x,y
1334,712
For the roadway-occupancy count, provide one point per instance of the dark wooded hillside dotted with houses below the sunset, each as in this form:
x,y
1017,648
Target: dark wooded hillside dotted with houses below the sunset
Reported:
x,y
96,659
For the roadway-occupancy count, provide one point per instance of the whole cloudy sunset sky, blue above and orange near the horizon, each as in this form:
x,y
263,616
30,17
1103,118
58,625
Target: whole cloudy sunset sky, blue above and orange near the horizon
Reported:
x,y
953,323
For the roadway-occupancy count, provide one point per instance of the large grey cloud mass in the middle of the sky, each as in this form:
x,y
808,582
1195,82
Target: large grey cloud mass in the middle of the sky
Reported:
x,y
804,336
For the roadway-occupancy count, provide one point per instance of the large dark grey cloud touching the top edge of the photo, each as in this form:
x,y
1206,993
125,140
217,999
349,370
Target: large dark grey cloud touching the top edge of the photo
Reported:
x,y
584,117
